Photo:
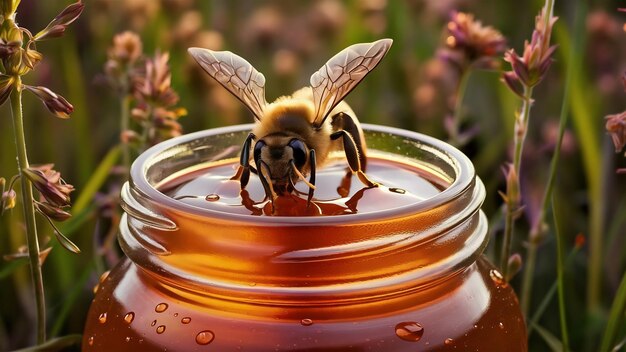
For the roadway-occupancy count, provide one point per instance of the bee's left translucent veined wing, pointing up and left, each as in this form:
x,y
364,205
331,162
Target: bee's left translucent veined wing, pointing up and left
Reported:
x,y
235,74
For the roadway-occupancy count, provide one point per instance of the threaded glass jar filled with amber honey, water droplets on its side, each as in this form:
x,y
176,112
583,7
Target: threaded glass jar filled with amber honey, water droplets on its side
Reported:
x,y
411,278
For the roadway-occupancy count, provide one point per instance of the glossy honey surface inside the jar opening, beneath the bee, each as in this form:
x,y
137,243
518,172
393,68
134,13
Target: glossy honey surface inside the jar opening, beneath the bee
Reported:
x,y
337,192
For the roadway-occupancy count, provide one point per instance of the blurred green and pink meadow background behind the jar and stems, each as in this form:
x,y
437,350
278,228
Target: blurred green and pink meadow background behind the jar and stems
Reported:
x,y
412,88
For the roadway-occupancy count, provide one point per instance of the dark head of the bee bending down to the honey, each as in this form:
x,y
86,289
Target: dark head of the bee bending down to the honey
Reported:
x,y
282,157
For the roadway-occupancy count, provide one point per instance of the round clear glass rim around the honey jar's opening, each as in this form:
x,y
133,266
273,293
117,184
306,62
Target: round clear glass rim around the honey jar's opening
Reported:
x,y
461,164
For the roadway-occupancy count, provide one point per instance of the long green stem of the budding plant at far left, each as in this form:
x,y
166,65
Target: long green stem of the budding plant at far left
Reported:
x,y
29,211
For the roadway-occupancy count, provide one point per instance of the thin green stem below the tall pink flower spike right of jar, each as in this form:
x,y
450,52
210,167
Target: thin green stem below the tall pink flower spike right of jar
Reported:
x,y
512,204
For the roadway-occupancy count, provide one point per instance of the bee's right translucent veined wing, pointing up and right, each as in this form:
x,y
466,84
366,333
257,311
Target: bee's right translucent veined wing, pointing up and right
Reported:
x,y
342,73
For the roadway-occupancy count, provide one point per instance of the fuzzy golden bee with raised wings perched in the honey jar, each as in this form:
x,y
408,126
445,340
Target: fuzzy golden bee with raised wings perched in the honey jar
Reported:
x,y
295,134
